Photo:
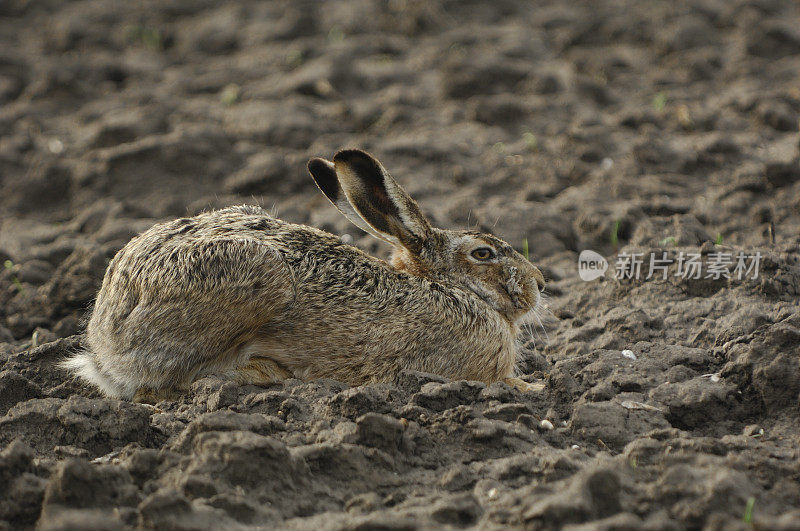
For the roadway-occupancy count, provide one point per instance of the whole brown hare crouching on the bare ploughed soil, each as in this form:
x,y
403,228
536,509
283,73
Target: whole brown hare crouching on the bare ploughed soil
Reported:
x,y
241,294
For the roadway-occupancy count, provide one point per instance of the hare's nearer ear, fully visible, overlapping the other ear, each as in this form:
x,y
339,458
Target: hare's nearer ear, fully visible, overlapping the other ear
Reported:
x,y
379,200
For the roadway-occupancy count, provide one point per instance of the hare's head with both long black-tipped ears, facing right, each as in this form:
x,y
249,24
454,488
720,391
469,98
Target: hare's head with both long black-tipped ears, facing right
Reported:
x,y
368,196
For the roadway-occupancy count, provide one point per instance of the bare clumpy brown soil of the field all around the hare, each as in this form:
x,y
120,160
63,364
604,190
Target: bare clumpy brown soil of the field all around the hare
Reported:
x,y
606,125
